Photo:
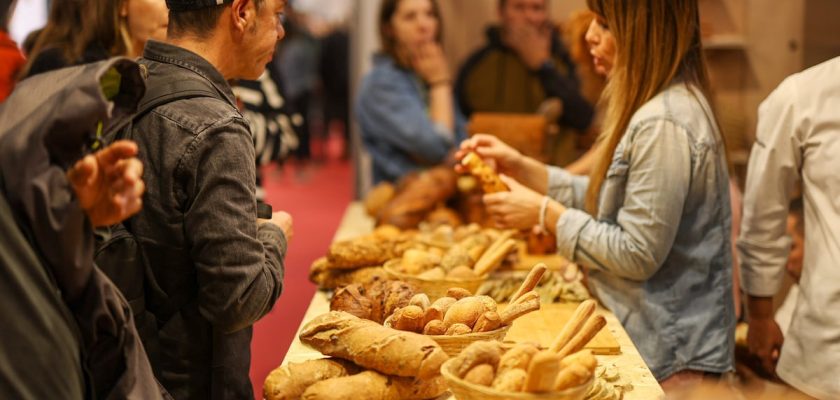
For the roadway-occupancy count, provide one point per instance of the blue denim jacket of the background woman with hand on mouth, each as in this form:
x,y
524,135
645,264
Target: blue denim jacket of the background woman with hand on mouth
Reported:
x,y
392,111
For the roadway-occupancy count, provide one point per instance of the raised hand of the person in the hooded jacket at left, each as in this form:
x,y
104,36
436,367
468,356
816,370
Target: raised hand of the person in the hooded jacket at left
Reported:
x,y
109,183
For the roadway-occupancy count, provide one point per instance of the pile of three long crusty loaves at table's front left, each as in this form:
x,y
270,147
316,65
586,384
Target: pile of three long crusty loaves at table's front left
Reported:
x,y
370,362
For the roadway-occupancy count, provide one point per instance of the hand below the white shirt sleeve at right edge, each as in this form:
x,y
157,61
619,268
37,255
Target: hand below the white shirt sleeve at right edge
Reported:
x,y
764,338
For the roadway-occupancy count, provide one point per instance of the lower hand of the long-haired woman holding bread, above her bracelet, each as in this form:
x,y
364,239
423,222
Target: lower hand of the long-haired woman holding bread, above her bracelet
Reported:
x,y
517,209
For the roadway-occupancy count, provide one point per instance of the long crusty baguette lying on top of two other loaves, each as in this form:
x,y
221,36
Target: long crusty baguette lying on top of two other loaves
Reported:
x,y
374,346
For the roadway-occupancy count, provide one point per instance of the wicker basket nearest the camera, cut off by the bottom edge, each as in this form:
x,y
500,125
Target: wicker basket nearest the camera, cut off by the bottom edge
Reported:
x,y
468,391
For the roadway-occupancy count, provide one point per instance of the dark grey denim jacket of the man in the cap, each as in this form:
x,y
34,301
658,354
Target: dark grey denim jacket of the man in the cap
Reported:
x,y
198,229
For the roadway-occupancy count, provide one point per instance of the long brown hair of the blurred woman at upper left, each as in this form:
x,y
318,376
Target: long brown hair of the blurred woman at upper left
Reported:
x,y
73,25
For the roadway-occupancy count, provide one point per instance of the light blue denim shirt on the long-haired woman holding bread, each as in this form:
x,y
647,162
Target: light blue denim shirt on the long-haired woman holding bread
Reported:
x,y
659,252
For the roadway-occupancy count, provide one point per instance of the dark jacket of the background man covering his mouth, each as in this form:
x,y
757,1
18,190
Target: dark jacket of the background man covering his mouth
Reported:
x,y
494,79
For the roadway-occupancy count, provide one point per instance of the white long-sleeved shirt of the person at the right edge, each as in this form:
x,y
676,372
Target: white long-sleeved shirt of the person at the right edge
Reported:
x,y
798,140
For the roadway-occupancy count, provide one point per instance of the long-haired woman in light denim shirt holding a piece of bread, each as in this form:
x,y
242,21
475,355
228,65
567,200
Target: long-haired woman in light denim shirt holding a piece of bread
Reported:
x,y
651,223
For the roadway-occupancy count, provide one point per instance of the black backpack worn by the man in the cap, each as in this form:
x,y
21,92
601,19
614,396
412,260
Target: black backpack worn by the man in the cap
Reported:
x,y
118,252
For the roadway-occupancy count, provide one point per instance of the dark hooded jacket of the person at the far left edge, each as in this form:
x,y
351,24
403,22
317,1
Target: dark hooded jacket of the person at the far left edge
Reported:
x,y
67,333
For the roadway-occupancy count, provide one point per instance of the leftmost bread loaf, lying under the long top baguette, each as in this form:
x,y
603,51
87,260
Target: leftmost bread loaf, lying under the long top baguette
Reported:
x,y
290,381
